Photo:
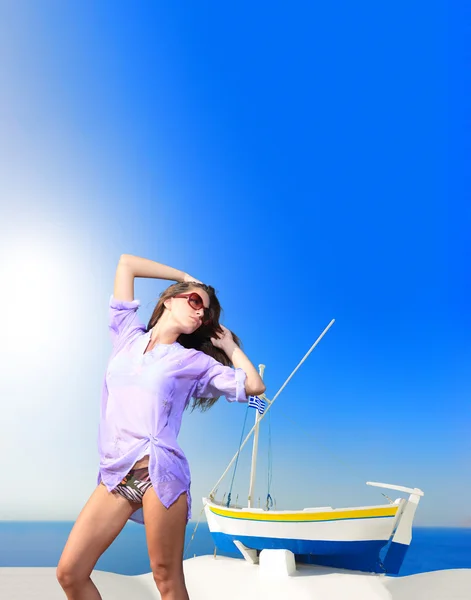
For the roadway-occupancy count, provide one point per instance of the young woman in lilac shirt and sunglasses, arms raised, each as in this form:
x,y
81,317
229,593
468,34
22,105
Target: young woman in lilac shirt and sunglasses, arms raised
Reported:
x,y
152,375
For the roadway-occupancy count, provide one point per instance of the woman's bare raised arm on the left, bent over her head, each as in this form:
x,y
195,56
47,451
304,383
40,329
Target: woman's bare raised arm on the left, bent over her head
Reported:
x,y
130,267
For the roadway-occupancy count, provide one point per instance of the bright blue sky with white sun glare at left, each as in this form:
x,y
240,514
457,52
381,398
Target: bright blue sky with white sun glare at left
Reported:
x,y
310,163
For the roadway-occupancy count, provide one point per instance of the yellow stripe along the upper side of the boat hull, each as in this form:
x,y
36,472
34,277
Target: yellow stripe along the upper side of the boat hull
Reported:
x,y
362,513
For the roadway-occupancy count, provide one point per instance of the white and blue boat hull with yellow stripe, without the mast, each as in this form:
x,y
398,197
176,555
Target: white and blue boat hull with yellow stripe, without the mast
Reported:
x,y
341,538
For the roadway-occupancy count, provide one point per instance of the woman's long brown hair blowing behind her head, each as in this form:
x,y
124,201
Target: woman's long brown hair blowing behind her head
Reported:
x,y
201,338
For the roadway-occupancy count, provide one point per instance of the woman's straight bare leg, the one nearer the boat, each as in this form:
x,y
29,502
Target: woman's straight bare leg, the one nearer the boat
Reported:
x,y
165,534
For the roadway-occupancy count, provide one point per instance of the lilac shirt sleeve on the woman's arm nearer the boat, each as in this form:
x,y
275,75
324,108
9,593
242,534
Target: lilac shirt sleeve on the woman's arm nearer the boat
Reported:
x,y
217,380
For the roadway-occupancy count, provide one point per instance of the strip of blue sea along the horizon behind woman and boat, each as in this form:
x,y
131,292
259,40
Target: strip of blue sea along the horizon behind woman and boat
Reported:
x,y
40,543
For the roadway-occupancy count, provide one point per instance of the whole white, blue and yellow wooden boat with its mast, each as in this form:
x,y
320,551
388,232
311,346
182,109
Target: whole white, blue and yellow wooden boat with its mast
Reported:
x,y
349,538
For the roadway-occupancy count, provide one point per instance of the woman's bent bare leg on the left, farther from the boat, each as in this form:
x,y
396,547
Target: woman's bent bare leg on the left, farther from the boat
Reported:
x,y
101,519
